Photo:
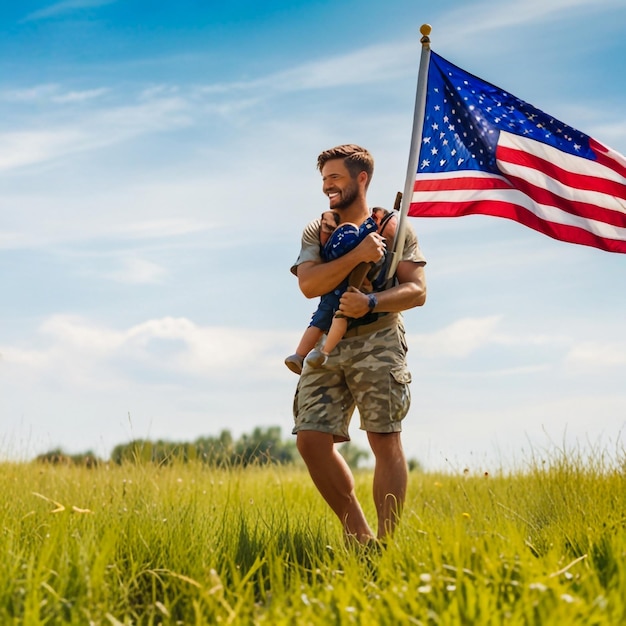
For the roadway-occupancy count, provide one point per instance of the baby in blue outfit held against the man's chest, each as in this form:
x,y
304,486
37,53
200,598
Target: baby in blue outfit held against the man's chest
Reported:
x,y
335,242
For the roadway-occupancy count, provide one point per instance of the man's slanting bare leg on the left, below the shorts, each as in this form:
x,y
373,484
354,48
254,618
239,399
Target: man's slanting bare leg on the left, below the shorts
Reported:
x,y
333,479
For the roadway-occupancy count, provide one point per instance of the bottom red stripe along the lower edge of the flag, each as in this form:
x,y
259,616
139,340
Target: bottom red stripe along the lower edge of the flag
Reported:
x,y
570,234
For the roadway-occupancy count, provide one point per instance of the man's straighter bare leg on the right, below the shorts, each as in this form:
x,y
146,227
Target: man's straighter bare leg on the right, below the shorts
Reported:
x,y
390,479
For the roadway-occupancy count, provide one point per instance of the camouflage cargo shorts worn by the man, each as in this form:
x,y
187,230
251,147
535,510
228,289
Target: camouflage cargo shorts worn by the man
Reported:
x,y
368,372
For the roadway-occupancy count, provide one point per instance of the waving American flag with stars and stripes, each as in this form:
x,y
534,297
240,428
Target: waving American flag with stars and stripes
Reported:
x,y
484,151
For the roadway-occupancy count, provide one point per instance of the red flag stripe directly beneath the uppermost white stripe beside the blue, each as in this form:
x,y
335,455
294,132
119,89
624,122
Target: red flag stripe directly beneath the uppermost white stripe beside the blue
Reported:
x,y
548,168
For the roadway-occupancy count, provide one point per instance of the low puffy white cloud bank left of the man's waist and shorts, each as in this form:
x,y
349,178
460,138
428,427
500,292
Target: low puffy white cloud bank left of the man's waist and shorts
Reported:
x,y
75,350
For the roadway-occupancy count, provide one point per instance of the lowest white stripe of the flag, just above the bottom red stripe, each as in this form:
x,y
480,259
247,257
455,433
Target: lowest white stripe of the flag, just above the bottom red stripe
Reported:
x,y
545,212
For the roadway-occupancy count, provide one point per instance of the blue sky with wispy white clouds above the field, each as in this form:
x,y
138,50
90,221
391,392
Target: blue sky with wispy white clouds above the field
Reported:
x,y
157,165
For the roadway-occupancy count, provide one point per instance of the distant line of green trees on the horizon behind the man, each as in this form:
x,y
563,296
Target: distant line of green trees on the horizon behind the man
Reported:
x,y
261,447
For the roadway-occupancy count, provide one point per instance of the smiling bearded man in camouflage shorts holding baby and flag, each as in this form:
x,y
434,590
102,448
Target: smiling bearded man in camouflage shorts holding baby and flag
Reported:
x,y
368,369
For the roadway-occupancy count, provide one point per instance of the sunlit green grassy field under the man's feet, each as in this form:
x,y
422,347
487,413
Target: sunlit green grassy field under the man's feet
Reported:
x,y
186,544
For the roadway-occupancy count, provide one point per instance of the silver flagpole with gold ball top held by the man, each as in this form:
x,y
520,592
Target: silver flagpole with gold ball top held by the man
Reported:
x,y
418,124
